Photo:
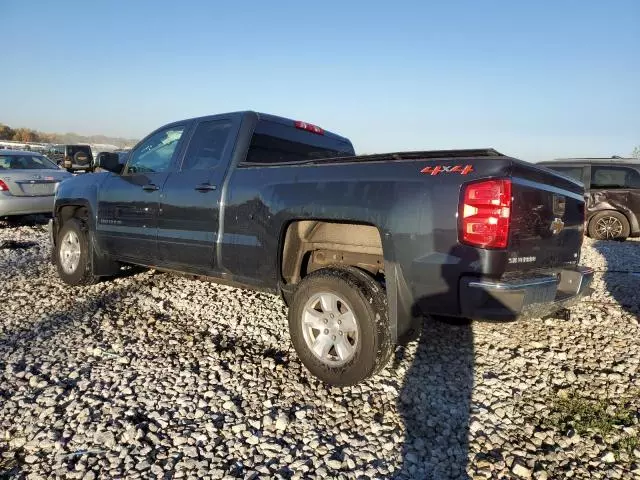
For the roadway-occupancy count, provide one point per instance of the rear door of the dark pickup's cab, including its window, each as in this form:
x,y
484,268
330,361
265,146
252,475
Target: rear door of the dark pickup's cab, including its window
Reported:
x,y
190,200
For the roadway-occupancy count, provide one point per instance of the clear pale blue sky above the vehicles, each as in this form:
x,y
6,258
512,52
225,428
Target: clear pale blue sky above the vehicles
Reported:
x,y
533,79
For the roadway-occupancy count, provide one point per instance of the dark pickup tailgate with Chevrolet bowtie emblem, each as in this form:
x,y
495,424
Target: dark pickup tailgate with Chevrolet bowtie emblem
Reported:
x,y
547,219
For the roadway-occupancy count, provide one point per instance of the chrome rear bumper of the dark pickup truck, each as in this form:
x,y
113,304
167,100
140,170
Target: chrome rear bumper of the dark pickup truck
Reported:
x,y
516,298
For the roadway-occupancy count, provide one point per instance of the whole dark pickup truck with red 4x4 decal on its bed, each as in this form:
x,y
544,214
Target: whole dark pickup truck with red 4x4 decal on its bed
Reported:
x,y
359,247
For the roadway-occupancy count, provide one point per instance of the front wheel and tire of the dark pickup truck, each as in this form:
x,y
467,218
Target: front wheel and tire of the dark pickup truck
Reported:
x,y
73,250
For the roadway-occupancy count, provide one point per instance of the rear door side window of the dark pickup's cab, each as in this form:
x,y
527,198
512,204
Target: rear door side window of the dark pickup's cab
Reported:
x,y
207,145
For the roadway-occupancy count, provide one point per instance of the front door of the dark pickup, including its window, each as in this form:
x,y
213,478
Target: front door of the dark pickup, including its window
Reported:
x,y
128,204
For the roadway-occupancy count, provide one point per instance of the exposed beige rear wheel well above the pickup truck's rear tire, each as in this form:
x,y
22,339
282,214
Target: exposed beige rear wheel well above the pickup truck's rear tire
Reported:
x,y
312,244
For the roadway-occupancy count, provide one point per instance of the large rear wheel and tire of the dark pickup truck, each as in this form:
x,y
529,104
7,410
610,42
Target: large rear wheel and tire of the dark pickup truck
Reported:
x,y
324,299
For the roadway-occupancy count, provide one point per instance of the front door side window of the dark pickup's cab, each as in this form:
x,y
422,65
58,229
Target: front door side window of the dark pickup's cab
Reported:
x,y
156,152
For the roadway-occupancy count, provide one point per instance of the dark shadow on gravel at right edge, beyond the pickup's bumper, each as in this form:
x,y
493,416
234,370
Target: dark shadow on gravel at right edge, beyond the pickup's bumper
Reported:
x,y
622,275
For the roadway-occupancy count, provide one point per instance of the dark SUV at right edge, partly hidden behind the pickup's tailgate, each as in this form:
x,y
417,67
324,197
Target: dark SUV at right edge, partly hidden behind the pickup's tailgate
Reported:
x,y
612,190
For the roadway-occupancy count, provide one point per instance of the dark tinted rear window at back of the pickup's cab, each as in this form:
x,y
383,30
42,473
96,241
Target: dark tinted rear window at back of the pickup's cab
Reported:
x,y
275,142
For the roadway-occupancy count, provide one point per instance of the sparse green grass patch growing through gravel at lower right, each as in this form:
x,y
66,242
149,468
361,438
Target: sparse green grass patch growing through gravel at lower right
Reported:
x,y
584,415
